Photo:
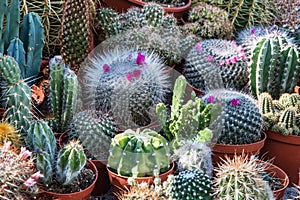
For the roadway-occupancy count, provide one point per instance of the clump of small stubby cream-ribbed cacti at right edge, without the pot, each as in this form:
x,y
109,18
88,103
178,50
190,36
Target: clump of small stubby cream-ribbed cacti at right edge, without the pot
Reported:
x,y
281,115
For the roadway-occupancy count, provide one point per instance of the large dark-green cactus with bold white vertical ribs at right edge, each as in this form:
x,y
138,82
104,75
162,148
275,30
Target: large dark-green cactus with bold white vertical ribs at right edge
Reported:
x,y
274,66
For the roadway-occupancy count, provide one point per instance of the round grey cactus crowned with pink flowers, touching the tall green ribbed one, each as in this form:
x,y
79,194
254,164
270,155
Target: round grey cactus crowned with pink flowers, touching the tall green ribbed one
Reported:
x,y
216,63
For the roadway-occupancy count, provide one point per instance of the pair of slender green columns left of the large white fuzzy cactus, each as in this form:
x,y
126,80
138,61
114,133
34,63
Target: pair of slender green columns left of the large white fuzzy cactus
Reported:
x,y
64,89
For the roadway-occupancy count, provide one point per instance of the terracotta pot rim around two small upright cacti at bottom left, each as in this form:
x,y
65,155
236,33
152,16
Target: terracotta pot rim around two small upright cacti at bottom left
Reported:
x,y
81,195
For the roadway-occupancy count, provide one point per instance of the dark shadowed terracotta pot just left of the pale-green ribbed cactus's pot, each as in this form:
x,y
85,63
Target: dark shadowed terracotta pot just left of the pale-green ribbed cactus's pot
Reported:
x,y
102,184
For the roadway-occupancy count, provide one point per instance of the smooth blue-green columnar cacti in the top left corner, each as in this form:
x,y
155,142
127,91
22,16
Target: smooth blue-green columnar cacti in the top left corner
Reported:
x,y
24,42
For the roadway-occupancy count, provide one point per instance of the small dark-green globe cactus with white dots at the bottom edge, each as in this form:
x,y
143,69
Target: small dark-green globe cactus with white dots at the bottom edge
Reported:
x,y
191,184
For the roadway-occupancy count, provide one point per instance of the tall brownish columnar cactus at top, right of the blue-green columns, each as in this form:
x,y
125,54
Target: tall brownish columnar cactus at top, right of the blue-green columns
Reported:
x,y
76,33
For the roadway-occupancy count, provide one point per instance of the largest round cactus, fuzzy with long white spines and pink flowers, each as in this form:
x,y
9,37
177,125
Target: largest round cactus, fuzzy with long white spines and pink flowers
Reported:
x,y
127,82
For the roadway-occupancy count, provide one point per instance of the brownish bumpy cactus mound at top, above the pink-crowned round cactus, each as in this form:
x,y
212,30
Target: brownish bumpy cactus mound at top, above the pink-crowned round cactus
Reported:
x,y
208,21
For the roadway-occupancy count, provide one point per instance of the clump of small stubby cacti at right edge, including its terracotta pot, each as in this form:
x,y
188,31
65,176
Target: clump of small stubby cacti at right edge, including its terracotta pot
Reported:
x,y
281,122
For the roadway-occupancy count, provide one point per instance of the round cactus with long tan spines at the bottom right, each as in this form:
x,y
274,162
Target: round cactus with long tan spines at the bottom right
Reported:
x,y
240,178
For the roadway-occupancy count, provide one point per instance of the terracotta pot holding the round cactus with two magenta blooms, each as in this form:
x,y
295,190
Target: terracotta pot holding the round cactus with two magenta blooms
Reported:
x,y
220,150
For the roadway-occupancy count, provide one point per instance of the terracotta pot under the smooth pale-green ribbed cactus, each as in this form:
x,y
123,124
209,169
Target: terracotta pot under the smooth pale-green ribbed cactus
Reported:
x,y
119,183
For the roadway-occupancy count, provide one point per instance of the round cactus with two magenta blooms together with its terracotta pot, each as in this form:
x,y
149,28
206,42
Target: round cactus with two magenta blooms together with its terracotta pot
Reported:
x,y
238,128
